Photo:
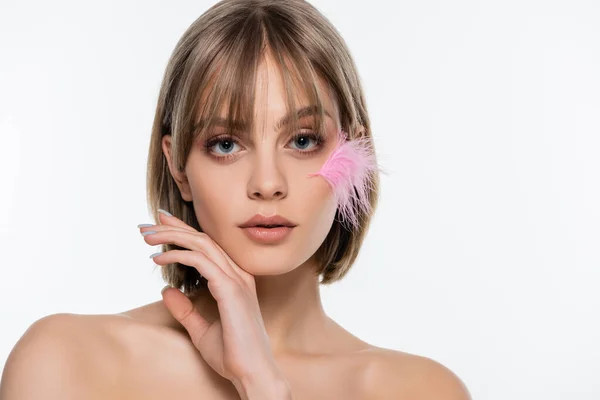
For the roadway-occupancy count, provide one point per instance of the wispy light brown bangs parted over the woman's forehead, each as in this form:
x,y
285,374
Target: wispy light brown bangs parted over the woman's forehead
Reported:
x,y
231,86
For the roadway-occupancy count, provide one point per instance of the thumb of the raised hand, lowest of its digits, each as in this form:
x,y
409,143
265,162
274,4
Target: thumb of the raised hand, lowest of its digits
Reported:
x,y
182,309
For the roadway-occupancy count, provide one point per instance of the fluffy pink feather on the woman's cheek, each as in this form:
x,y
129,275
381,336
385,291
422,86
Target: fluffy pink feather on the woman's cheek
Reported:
x,y
349,172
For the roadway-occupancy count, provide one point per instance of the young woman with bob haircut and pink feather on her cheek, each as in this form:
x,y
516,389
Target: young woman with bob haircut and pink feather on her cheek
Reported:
x,y
261,154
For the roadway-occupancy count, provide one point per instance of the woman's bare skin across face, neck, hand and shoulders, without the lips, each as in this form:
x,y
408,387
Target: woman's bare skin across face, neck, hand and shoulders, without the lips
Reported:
x,y
263,334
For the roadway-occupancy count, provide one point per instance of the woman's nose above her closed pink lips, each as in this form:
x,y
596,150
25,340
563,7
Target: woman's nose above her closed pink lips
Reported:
x,y
267,182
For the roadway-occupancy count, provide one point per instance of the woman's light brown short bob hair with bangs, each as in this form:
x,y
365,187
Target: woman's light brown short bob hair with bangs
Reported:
x,y
216,60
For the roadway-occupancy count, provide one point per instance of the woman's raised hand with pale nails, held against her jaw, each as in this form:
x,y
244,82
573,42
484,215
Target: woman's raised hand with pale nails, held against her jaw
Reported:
x,y
236,345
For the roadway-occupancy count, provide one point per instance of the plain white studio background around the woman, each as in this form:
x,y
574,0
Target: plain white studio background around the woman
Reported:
x,y
484,252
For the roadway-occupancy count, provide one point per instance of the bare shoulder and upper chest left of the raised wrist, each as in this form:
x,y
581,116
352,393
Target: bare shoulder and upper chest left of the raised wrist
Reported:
x,y
118,356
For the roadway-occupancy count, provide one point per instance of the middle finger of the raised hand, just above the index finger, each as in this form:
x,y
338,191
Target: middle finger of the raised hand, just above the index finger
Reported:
x,y
198,241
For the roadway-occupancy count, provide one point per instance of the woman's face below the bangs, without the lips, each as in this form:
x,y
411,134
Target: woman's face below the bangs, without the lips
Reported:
x,y
230,179
